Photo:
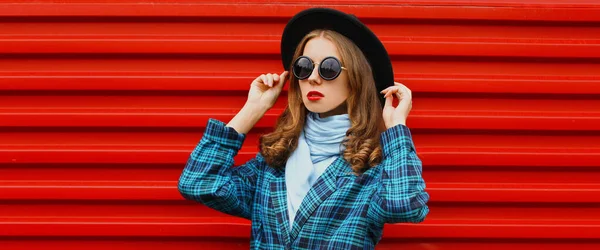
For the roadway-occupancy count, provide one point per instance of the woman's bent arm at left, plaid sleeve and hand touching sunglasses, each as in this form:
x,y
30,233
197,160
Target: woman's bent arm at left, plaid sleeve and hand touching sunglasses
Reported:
x,y
209,176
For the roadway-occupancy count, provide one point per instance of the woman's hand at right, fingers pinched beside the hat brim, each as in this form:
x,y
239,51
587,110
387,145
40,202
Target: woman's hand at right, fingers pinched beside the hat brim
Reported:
x,y
393,116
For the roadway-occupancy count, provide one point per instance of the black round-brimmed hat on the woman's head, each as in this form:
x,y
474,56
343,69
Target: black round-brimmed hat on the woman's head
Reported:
x,y
346,24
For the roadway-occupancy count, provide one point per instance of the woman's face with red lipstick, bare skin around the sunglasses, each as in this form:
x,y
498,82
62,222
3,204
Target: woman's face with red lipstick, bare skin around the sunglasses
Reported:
x,y
318,95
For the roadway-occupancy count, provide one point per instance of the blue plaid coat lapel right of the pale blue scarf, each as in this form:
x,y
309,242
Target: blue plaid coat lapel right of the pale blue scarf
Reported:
x,y
325,185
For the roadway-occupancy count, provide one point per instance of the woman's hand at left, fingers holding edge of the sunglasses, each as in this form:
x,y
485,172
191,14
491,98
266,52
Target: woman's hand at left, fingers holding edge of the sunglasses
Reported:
x,y
265,89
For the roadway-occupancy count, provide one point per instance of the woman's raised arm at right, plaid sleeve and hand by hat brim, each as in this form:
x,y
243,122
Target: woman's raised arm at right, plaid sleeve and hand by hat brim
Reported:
x,y
400,195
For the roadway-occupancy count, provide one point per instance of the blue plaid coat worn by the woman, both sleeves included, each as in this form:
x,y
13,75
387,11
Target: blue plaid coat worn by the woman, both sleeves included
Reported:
x,y
341,211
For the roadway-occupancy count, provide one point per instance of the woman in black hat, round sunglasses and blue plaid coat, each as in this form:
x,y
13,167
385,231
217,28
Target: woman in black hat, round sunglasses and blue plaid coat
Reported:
x,y
338,165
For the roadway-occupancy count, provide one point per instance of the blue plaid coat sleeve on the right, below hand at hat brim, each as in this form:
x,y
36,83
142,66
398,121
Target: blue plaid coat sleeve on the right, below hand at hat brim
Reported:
x,y
400,192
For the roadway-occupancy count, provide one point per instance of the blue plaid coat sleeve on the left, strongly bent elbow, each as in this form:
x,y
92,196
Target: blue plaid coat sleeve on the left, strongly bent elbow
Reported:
x,y
210,178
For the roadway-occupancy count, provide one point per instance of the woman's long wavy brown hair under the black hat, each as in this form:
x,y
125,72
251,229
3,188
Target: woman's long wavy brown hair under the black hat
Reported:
x,y
363,149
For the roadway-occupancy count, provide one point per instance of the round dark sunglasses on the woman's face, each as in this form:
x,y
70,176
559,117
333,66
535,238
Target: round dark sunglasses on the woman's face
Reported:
x,y
329,69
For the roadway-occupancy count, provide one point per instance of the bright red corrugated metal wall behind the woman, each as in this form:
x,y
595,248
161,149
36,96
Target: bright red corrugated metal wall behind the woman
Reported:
x,y
102,101
